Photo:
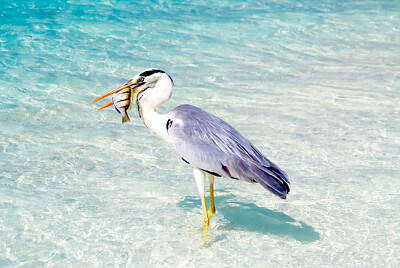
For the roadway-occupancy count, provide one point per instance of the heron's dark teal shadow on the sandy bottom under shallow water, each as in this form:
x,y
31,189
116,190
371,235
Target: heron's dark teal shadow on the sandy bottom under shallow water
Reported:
x,y
252,218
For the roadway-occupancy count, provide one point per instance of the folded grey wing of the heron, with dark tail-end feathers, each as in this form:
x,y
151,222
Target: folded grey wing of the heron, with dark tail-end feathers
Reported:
x,y
209,143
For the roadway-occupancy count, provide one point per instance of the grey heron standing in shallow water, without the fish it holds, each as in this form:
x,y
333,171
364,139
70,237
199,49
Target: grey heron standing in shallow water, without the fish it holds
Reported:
x,y
207,143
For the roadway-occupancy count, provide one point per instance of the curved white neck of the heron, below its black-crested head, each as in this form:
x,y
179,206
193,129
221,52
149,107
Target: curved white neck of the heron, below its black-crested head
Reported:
x,y
150,100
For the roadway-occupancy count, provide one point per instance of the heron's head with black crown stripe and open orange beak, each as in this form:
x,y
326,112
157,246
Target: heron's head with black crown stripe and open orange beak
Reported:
x,y
145,79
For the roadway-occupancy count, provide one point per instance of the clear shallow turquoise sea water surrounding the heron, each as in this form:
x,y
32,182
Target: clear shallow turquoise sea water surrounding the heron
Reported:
x,y
313,84
